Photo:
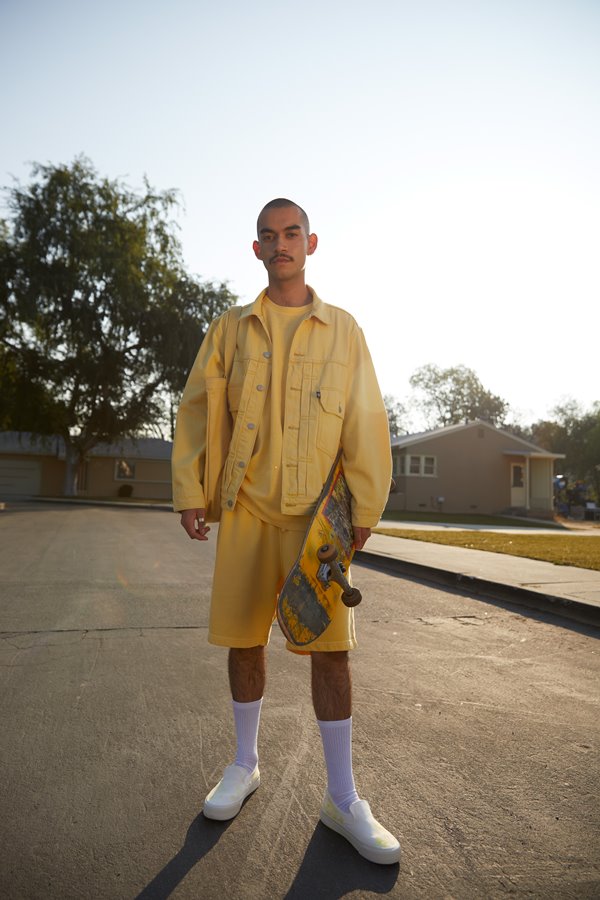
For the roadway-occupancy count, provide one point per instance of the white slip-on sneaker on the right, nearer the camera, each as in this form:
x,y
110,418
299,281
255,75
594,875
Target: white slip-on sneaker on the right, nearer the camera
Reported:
x,y
363,831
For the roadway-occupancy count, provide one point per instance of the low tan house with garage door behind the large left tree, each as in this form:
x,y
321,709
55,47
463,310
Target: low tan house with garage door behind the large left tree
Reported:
x,y
31,465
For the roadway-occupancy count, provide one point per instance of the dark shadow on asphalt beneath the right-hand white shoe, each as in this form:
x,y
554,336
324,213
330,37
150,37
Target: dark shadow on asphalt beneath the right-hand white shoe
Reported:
x,y
331,868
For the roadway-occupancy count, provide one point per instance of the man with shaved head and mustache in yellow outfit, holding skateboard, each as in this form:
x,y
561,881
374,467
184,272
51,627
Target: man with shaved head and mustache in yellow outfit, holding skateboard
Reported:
x,y
301,385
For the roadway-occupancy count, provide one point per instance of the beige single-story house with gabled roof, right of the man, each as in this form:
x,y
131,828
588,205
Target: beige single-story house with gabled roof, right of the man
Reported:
x,y
472,468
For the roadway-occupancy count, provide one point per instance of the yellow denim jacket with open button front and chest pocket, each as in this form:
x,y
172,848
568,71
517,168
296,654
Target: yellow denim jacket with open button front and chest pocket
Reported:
x,y
332,400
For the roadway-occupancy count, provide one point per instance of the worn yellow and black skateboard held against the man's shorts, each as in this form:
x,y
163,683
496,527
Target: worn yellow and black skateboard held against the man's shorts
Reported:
x,y
317,581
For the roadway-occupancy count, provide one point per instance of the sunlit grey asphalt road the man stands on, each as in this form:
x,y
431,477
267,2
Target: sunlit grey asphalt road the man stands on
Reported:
x,y
476,733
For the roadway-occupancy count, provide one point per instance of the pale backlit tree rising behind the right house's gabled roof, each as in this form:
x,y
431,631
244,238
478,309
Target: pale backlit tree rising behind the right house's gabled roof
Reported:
x,y
455,395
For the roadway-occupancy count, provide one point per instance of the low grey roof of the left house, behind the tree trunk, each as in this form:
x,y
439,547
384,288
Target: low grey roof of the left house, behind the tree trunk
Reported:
x,y
53,445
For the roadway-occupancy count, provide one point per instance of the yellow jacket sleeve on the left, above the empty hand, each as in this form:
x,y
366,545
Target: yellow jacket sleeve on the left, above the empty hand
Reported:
x,y
189,445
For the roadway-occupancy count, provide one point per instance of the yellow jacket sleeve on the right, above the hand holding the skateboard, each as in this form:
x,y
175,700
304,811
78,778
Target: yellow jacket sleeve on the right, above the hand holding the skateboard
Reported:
x,y
366,447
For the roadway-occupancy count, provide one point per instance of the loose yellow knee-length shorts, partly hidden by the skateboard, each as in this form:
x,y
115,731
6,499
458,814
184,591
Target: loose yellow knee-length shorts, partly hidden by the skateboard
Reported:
x,y
252,561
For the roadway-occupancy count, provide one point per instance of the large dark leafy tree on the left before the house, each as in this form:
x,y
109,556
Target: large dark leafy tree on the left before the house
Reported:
x,y
99,322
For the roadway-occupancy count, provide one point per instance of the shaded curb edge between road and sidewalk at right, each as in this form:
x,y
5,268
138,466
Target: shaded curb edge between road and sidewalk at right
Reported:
x,y
565,607
